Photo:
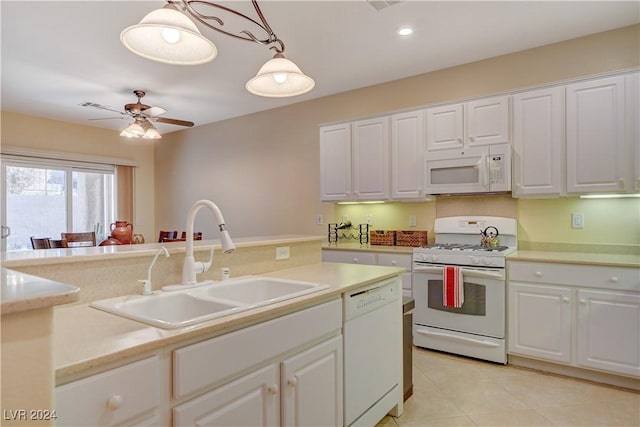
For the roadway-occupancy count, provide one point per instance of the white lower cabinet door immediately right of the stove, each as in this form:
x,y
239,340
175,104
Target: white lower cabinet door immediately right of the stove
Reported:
x,y
540,321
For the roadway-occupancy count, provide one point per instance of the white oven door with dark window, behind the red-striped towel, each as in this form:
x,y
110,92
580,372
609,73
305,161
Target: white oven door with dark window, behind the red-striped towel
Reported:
x,y
483,310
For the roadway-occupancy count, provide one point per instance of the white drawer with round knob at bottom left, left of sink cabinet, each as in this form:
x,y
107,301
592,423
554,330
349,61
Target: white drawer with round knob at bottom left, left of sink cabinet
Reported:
x,y
112,397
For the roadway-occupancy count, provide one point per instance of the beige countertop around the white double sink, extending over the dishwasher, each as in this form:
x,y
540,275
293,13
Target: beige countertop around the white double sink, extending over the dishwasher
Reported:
x,y
86,338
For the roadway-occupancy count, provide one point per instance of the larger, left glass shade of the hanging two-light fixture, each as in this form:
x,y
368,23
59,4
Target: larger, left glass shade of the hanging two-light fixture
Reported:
x,y
167,35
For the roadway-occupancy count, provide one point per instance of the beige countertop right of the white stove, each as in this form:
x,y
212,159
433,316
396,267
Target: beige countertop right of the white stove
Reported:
x,y
587,258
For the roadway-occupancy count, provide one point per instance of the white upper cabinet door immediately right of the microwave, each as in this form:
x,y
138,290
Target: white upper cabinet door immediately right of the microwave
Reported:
x,y
538,142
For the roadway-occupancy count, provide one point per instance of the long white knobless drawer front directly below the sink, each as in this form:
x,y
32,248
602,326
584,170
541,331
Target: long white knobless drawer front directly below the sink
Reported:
x,y
198,366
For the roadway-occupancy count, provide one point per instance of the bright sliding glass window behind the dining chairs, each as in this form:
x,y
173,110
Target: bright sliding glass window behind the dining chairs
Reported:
x,y
43,198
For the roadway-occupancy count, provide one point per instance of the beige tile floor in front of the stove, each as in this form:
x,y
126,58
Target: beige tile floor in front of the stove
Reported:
x,y
457,391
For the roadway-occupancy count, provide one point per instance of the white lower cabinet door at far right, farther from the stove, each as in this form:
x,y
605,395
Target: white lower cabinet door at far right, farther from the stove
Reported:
x,y
609,331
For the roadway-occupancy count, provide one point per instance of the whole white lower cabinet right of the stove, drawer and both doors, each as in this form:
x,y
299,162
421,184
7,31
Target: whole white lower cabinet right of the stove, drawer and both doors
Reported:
x,y
584,316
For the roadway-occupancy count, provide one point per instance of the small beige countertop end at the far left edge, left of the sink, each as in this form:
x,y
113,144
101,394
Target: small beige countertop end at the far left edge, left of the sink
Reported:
x,y
22,292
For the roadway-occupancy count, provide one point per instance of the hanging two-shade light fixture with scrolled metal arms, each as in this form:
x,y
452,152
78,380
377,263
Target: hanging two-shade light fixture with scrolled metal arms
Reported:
x,y
168,35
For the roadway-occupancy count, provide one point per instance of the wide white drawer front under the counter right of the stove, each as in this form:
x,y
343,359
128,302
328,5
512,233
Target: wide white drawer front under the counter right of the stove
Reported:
x,y
585,276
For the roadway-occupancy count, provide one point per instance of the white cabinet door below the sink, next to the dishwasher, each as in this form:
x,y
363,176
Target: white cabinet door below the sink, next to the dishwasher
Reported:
x,y
312,386
